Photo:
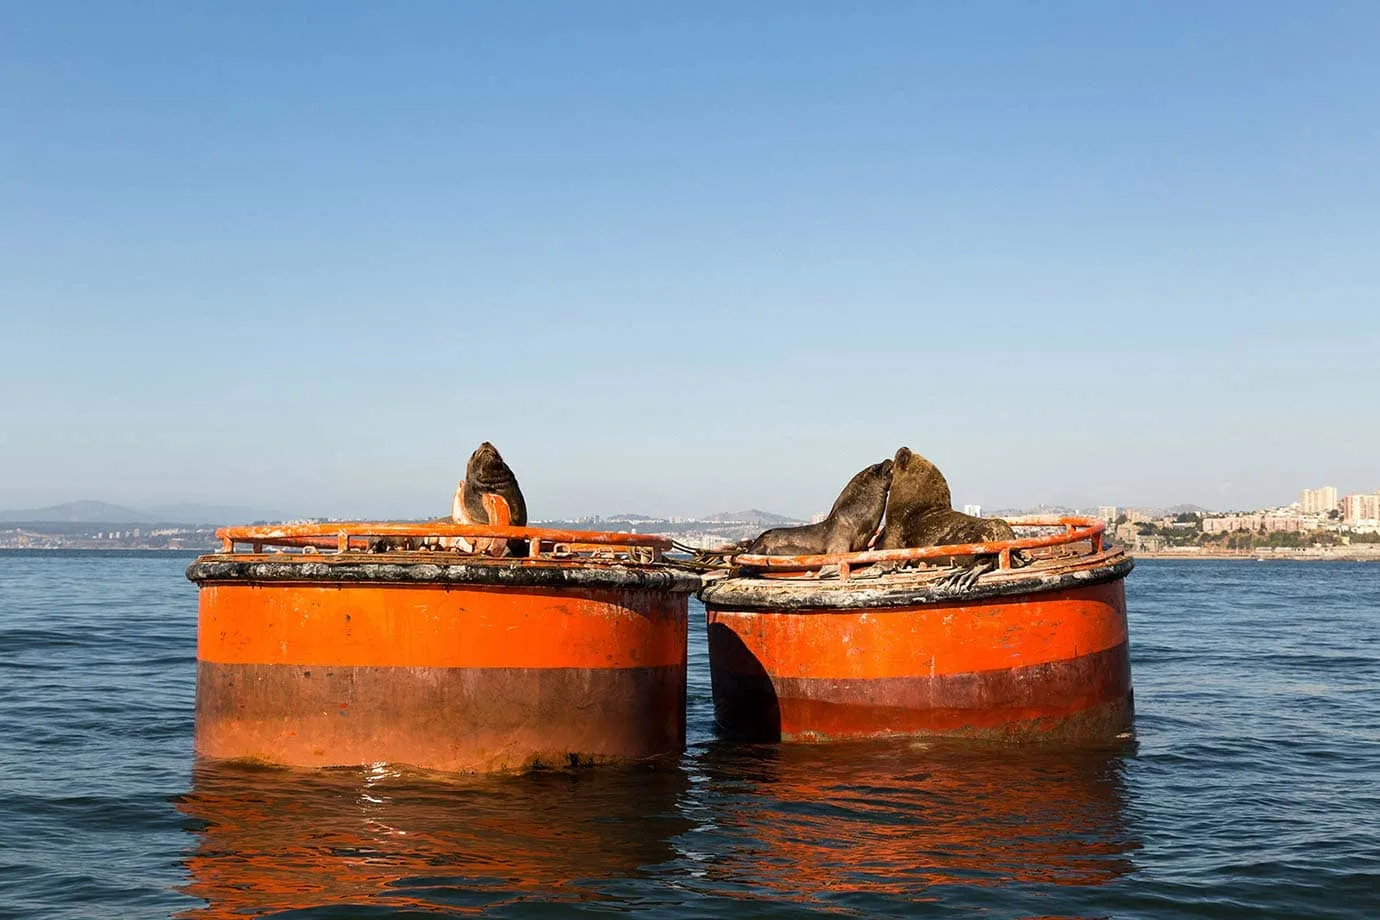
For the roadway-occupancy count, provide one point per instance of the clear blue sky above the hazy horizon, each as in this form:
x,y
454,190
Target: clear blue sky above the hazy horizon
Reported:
x,y
688,259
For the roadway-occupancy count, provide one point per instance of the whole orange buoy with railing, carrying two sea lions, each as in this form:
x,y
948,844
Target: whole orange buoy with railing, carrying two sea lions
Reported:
x,y
1029,653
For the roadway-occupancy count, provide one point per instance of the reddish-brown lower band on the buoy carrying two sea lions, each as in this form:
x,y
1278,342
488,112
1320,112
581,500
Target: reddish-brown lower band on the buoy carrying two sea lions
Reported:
x,y
1085,699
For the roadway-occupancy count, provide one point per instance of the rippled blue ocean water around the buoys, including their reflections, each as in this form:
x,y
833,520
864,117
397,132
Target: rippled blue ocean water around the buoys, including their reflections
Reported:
x,y
1252,790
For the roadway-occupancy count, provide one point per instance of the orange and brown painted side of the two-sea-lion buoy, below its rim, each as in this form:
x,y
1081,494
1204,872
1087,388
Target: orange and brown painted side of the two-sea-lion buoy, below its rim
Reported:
x,y
1041,666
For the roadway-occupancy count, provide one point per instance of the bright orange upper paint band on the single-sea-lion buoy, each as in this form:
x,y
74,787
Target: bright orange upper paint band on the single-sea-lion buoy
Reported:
x,y
438,627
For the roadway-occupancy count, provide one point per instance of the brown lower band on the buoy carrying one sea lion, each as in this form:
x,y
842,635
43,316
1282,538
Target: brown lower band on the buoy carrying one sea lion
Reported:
x,y
452,719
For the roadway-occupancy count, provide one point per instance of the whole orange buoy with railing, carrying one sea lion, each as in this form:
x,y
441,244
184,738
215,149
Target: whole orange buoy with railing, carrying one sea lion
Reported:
x,y
325,654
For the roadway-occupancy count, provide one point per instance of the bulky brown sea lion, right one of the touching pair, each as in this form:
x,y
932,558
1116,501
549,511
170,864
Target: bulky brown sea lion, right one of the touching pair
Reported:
x,y
921,514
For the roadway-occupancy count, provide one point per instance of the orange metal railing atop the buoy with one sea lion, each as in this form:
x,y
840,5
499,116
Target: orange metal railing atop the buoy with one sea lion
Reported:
x,y
346,537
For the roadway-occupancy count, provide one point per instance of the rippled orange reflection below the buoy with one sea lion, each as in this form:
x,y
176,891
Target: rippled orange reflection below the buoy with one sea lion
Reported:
x,y
279,841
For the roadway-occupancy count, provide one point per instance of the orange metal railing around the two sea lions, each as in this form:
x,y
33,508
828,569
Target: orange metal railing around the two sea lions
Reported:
x,y
1076,530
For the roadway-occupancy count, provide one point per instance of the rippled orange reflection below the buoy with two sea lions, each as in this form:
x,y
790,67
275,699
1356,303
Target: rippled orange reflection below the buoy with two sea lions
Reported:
x,y
804,823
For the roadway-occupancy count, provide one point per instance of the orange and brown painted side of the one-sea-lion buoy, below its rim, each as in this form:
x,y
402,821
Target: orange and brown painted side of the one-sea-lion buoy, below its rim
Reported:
x,y
441,677
